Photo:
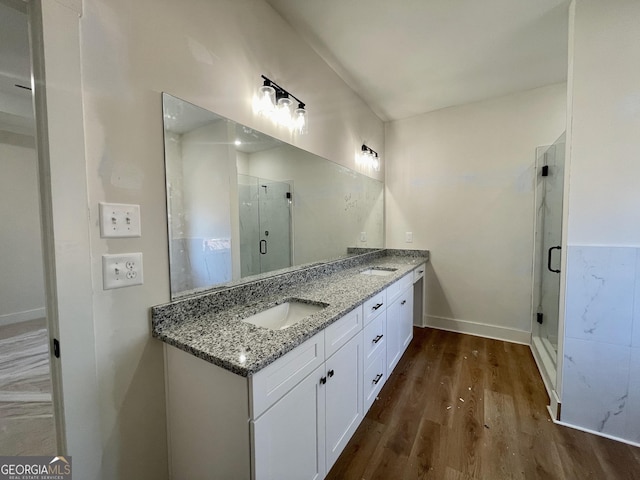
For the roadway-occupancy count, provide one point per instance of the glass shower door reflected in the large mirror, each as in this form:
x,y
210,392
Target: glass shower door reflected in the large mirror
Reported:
x,y
265,225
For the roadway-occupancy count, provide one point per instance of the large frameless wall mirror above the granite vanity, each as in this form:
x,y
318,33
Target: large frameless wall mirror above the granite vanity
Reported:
x,y
241,203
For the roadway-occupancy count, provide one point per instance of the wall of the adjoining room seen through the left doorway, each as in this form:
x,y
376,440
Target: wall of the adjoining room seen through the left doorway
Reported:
x,y
22,280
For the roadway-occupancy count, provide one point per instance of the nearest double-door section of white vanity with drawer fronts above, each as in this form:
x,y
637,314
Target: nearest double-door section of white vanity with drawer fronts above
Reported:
x,y
304,432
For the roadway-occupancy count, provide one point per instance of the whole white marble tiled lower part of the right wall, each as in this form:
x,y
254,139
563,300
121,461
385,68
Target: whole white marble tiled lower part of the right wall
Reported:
x,y
601,368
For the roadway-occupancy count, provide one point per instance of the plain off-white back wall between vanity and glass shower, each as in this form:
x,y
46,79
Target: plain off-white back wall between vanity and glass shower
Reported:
x,y
461,179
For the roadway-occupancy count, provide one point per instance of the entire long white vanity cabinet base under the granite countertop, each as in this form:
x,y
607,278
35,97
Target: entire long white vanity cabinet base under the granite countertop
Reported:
x,y
293,418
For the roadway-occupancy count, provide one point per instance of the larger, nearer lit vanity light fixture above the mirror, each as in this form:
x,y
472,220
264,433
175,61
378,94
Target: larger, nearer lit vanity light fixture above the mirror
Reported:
x,y
274,102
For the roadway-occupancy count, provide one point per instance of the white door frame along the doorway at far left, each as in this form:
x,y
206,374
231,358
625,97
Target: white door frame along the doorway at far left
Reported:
x,y
54,33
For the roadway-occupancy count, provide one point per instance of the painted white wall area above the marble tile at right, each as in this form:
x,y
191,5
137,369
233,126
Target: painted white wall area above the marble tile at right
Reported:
x,y
603,197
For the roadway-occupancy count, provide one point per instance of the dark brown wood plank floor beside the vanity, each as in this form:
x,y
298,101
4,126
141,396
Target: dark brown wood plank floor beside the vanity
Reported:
x,y
459,407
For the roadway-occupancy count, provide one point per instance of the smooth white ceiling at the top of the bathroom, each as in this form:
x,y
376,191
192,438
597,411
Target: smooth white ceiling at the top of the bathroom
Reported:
x,y
406,57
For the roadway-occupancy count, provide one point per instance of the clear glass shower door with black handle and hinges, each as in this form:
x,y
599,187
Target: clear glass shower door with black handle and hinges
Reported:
x,y
549,193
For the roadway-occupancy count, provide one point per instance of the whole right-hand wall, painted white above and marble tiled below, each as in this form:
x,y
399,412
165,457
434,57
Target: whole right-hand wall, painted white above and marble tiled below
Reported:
x,y
600,389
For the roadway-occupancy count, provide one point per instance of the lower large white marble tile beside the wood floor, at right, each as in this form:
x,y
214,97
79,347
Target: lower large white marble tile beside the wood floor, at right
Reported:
x,y
595,389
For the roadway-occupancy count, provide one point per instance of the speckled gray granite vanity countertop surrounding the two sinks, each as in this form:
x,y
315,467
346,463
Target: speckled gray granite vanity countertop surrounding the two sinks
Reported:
x,y
222,338
